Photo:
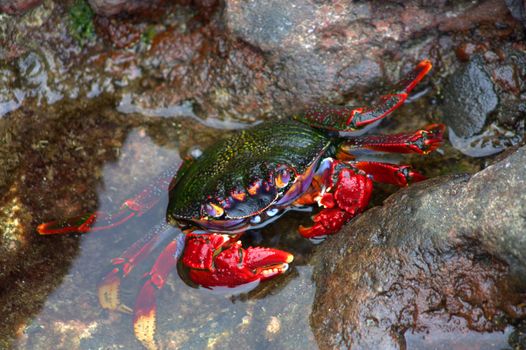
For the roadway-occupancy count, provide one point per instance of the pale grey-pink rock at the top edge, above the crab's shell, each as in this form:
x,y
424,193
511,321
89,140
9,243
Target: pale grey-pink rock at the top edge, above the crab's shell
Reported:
x,y
322,51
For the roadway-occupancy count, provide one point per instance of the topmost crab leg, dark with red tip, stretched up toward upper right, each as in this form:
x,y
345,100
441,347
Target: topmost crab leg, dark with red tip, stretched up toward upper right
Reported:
x,y
345,118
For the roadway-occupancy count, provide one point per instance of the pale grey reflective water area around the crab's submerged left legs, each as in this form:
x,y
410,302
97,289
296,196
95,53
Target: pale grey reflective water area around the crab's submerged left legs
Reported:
x,y
72,318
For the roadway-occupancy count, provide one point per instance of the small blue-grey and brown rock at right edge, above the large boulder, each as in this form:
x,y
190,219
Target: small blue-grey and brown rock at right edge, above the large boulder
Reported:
x,y
483,103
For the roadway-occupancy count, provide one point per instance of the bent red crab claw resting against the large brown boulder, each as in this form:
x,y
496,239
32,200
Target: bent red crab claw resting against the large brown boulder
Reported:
x,y
346,193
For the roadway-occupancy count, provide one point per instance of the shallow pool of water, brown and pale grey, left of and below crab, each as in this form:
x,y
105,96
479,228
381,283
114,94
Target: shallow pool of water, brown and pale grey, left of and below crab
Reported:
x,y
70,316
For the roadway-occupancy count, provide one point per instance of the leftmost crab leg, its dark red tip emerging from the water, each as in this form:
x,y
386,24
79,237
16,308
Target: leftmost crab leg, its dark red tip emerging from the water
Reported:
x,y
132,207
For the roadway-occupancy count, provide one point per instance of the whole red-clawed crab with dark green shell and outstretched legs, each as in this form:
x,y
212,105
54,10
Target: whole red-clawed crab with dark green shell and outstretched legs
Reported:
x,y
248,180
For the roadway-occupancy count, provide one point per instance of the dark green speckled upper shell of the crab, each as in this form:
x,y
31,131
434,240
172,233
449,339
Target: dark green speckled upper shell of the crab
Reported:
x,y
236,162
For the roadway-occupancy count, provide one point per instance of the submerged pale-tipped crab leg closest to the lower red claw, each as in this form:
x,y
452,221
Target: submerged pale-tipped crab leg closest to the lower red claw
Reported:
x,y
146,303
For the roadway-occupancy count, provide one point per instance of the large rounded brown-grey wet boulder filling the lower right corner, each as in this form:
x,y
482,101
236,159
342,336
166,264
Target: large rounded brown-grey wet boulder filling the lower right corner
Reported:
x,y
442,259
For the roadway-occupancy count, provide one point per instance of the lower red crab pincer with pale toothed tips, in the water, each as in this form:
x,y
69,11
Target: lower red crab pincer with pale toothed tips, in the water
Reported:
x,y
228,264
